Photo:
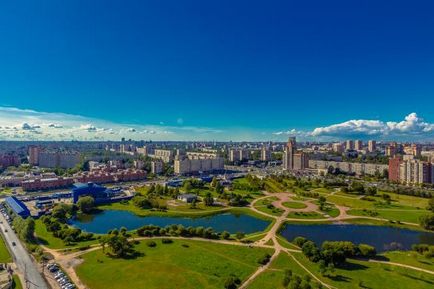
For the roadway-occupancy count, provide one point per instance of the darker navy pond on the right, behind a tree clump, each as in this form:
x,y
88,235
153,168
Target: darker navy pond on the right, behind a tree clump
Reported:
x,y
383,238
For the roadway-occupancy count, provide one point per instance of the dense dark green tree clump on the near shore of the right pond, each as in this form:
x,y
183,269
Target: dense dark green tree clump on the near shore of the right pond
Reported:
x,y
333,253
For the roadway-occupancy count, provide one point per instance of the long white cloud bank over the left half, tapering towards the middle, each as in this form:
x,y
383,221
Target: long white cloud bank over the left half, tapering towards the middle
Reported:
x,y
25,124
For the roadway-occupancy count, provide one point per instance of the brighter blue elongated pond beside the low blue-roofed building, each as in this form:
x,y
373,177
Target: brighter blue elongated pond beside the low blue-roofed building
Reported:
x,y
107,220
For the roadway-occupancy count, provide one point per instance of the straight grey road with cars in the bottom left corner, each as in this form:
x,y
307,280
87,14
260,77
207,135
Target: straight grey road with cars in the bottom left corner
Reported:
x,y
22,258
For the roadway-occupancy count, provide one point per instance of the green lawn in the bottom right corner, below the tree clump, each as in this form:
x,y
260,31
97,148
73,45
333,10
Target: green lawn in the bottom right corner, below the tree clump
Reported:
x,y
372,275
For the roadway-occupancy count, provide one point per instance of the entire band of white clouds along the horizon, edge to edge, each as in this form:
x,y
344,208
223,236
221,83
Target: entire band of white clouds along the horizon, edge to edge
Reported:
x,y
25,124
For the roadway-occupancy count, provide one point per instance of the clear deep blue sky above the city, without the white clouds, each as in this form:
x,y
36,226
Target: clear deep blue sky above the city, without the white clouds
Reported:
x,y
234,69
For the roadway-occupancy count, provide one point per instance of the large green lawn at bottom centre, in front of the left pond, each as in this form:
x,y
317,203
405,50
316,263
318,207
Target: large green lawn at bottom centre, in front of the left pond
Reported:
x,y
197,264
